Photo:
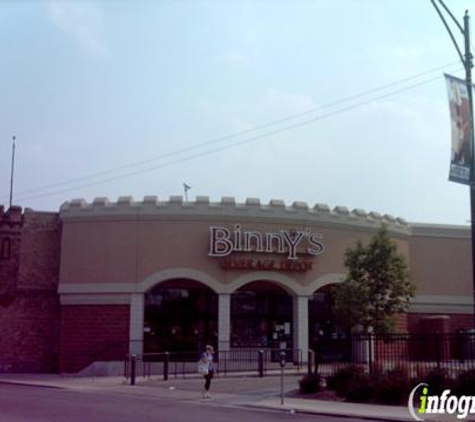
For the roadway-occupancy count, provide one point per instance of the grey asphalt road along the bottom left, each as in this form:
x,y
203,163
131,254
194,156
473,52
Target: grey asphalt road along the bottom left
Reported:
x,y
39,404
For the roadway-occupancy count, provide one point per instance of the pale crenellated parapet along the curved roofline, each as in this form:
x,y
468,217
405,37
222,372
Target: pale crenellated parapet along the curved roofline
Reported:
x,y
202,208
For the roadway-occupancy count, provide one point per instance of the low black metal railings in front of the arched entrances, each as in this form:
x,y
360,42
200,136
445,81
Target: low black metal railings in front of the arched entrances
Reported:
x,y
240,360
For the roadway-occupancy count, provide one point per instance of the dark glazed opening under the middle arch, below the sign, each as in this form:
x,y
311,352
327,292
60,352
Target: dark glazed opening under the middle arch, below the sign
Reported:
x,y
261,316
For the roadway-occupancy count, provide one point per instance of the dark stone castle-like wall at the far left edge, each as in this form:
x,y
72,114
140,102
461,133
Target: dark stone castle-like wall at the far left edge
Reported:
x,y
29,303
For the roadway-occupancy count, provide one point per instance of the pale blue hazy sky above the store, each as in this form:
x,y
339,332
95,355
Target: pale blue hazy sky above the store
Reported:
x,y
331,102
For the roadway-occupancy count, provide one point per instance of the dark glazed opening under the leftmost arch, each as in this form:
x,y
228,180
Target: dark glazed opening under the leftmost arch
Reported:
x,y
180,315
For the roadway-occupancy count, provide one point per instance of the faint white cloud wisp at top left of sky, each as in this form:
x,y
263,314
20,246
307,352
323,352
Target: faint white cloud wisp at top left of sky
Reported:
x,y
83,22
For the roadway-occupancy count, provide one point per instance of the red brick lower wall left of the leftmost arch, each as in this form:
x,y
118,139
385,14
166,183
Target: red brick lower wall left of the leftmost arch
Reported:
x,y
92,333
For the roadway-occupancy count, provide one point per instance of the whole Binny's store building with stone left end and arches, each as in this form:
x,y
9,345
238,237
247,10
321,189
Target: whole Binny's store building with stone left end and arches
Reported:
x,y
98,280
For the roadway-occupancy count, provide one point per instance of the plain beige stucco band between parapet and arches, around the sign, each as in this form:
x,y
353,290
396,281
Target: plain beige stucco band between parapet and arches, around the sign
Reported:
x,y
128,251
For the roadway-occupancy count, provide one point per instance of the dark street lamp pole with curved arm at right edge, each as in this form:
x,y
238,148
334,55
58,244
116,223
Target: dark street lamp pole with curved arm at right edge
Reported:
x,y
467,61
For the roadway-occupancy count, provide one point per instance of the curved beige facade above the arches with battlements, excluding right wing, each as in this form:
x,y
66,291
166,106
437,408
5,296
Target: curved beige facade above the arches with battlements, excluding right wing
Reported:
x,y
130,246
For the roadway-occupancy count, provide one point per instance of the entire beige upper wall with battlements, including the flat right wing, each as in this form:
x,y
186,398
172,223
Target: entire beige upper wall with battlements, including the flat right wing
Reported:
x,y
110,250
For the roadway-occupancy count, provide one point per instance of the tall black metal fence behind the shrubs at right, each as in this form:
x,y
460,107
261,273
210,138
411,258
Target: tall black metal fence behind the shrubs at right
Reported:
x,y
415,353
